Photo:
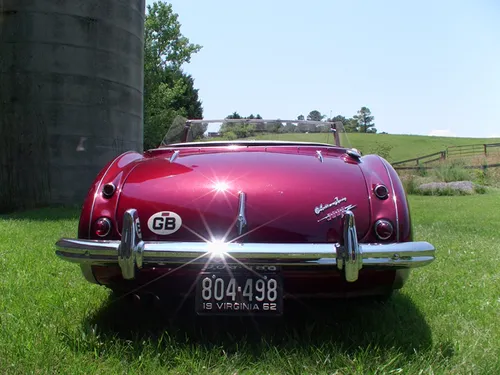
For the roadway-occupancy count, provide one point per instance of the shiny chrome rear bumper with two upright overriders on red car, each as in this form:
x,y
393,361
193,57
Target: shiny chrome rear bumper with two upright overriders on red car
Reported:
x,y
131,253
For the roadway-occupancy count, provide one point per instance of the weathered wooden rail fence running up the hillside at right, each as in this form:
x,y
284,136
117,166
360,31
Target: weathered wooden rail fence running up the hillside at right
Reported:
x,y
449,153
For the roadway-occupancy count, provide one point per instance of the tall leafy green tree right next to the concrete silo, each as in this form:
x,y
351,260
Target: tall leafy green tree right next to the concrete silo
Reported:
x,y
168,91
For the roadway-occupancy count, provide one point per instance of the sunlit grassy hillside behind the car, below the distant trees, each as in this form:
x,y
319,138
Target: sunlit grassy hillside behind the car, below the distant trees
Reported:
x,y
398,147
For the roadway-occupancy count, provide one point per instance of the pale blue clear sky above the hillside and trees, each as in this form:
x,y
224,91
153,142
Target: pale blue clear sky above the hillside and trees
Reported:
x,y
422,67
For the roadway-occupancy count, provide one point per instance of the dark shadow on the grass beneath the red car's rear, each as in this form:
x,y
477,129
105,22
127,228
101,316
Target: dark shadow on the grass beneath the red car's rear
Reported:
x,y
348,325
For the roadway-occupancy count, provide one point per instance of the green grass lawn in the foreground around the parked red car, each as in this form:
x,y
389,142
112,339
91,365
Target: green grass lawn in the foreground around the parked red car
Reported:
x,y
445,320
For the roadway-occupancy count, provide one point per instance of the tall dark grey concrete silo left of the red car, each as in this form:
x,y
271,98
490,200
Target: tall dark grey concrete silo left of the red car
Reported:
x,y
71,95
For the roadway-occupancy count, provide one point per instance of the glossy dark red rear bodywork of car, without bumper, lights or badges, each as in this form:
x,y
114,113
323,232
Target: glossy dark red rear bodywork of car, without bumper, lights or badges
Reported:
x,y
284,185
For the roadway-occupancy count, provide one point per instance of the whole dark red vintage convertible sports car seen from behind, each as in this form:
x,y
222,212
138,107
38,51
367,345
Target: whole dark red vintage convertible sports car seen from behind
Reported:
x,y
241,225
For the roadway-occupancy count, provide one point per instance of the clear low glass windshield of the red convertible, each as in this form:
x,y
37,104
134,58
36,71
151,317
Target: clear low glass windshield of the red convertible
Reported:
x,y
234,131
